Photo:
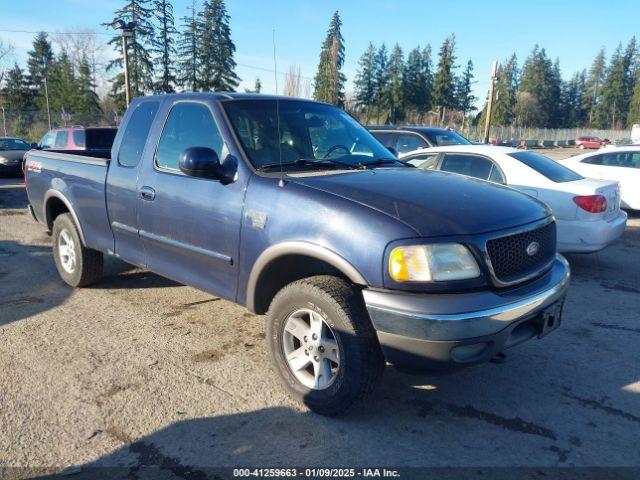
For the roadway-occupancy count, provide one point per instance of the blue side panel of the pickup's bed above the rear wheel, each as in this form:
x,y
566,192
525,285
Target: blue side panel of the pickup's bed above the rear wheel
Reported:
x,y
75,181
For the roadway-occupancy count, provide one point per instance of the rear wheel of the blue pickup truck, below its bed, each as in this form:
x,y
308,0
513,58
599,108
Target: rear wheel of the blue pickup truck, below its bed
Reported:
x,y
77,265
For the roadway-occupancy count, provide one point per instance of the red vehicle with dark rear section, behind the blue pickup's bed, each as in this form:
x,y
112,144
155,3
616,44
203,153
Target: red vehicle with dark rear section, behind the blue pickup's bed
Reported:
x,y
75,138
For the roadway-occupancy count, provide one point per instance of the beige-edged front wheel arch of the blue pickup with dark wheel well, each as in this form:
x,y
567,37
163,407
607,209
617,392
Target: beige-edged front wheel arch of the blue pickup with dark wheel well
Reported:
x,y
287,262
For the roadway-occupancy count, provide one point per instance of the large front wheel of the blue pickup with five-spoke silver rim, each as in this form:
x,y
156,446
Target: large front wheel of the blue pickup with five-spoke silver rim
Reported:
x,y
323,345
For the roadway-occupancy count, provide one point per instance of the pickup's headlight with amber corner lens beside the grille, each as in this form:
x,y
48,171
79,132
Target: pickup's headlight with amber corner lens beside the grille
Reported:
x,y
438,262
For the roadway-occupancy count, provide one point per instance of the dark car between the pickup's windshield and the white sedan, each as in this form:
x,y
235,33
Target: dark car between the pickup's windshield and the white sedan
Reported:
x,y
409,138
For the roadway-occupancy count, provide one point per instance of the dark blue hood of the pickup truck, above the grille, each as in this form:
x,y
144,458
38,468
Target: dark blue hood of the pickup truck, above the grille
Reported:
x,y
432,203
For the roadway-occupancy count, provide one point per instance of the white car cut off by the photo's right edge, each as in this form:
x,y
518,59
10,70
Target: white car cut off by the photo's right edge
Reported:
x,y
620,163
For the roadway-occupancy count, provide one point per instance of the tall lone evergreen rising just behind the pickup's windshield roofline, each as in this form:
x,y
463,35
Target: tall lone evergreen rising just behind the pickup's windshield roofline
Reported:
x,y
329,81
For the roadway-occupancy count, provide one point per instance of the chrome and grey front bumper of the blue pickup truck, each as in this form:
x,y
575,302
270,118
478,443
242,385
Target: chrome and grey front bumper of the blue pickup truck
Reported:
x,y
424,331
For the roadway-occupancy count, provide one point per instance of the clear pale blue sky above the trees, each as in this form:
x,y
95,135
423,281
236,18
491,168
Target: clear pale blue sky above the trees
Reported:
x,y
571,30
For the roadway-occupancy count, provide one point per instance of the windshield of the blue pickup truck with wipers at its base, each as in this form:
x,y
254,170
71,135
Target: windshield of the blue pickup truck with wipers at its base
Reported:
x,y
304,135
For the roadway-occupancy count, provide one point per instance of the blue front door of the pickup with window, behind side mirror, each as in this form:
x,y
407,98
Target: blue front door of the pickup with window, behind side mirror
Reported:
x,y
191,226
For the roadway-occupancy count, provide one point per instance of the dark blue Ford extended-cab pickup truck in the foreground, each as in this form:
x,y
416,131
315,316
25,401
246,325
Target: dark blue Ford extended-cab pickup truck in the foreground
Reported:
x,y
291,208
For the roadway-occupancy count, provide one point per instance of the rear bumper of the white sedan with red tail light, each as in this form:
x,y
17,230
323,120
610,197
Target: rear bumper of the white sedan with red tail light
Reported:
x,y
581,236
